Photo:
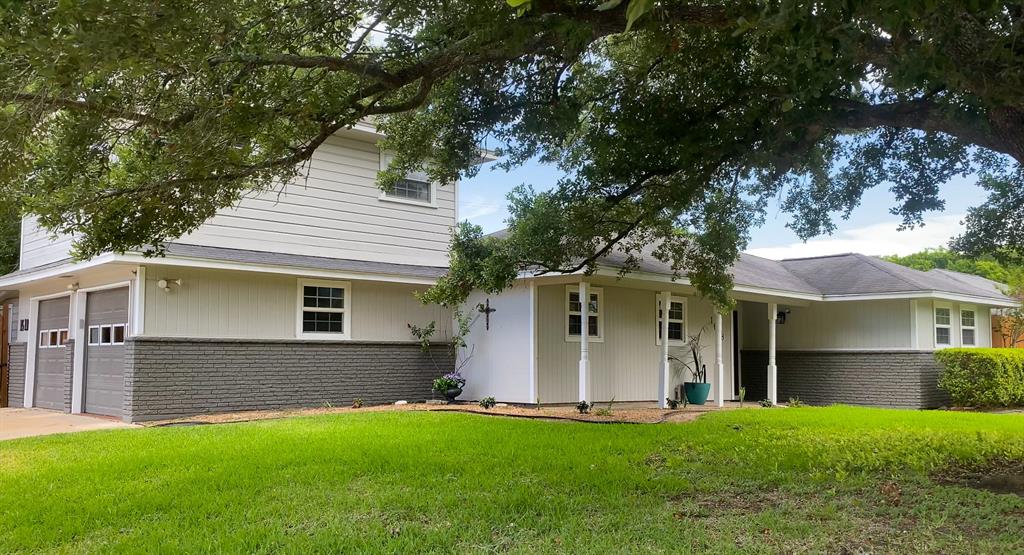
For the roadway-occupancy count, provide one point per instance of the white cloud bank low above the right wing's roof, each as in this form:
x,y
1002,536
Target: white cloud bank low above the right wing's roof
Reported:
x,y
878,239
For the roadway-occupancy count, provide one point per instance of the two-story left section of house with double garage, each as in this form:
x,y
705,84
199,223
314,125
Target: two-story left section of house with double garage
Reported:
x,y
294,297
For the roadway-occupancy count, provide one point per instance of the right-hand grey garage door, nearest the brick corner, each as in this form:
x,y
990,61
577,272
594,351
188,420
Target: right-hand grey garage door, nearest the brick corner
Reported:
x,y
107,327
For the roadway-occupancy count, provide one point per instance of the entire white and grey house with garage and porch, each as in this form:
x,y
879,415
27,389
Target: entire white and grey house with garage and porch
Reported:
x,y
304,296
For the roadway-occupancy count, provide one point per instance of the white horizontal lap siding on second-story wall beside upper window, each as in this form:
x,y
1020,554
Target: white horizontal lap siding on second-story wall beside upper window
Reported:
x,y
337,211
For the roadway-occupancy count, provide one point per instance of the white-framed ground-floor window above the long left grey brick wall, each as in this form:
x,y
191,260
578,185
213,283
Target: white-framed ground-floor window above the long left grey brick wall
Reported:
x,y
324,310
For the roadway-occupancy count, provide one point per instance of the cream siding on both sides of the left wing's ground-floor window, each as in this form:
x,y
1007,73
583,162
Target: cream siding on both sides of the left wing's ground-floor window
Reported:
x,y
238,305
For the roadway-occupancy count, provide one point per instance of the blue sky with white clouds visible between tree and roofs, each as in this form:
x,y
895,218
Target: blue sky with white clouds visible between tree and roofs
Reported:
x,y
871,230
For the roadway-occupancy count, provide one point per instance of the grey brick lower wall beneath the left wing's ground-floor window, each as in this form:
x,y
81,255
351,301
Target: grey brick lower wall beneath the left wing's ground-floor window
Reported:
x,y
176,377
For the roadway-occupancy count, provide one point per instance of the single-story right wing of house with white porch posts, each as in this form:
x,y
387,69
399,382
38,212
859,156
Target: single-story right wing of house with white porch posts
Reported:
x,y
846,329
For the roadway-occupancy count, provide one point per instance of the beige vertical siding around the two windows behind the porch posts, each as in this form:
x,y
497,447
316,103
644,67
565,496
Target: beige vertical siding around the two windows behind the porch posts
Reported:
x,y
626,365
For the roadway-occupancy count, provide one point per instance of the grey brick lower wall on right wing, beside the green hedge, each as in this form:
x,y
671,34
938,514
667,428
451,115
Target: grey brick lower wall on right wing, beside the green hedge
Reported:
x,y
897,379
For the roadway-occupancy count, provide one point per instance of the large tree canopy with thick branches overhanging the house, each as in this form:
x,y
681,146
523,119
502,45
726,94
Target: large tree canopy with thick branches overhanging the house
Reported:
x,y
132,122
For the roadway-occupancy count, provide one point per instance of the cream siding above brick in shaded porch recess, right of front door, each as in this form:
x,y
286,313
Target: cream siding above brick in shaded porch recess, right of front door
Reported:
x,y
822,326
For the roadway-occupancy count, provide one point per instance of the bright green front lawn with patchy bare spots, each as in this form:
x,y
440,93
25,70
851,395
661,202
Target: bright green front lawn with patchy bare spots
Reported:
x,y
795,480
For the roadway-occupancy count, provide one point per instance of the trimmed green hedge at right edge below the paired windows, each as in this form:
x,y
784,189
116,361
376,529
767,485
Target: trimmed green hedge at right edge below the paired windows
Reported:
x,y
976,377
